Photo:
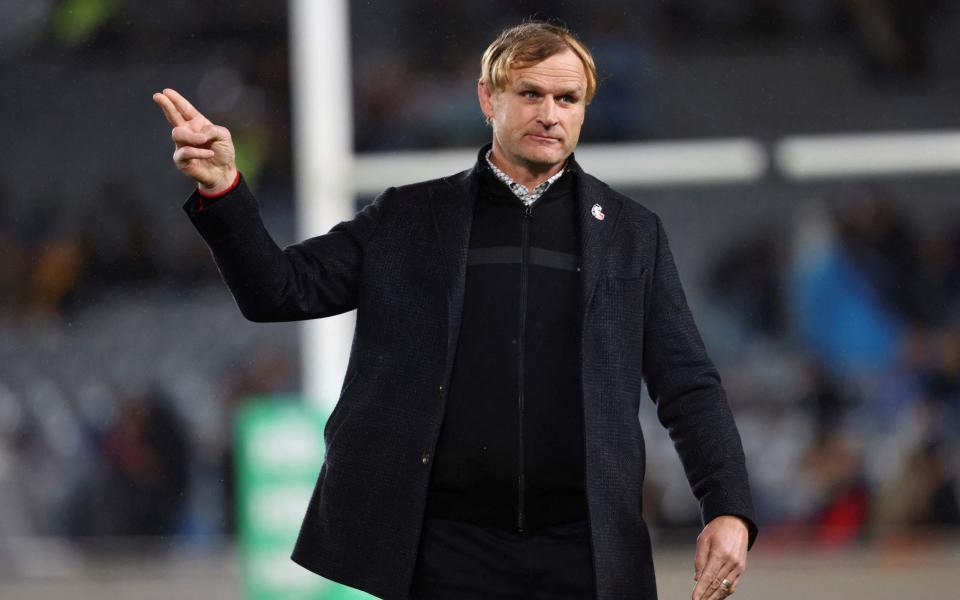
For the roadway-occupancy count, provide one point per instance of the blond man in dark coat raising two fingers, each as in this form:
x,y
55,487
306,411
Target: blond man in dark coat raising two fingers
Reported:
x,y
486,441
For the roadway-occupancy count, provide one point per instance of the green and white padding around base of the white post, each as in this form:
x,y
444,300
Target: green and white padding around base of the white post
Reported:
x,y
279,451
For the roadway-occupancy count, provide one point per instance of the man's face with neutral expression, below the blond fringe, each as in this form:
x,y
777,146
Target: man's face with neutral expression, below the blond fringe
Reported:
x,y
537,117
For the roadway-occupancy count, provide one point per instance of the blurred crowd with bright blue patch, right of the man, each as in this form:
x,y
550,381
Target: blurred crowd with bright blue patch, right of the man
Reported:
x,y
851,322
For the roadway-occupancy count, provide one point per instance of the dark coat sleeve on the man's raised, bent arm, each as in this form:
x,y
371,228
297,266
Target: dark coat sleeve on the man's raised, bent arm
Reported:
x,y
318,277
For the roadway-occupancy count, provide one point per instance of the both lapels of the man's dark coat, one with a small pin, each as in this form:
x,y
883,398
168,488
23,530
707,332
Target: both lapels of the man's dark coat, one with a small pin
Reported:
x,y
453,205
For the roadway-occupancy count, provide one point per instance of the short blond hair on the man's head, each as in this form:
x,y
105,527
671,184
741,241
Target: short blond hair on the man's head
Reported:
x,y
527,44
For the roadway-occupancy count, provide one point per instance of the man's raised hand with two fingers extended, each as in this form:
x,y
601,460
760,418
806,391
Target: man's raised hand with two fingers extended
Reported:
x,y
204,151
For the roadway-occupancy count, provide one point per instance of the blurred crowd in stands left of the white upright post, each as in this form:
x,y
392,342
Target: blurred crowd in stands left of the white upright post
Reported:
x,y
122,357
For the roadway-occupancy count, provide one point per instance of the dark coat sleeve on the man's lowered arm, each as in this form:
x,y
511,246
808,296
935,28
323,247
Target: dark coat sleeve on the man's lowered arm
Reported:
x,y
691,402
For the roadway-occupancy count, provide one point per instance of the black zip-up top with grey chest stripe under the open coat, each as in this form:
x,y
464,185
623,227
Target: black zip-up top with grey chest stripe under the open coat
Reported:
x,y
510,452
